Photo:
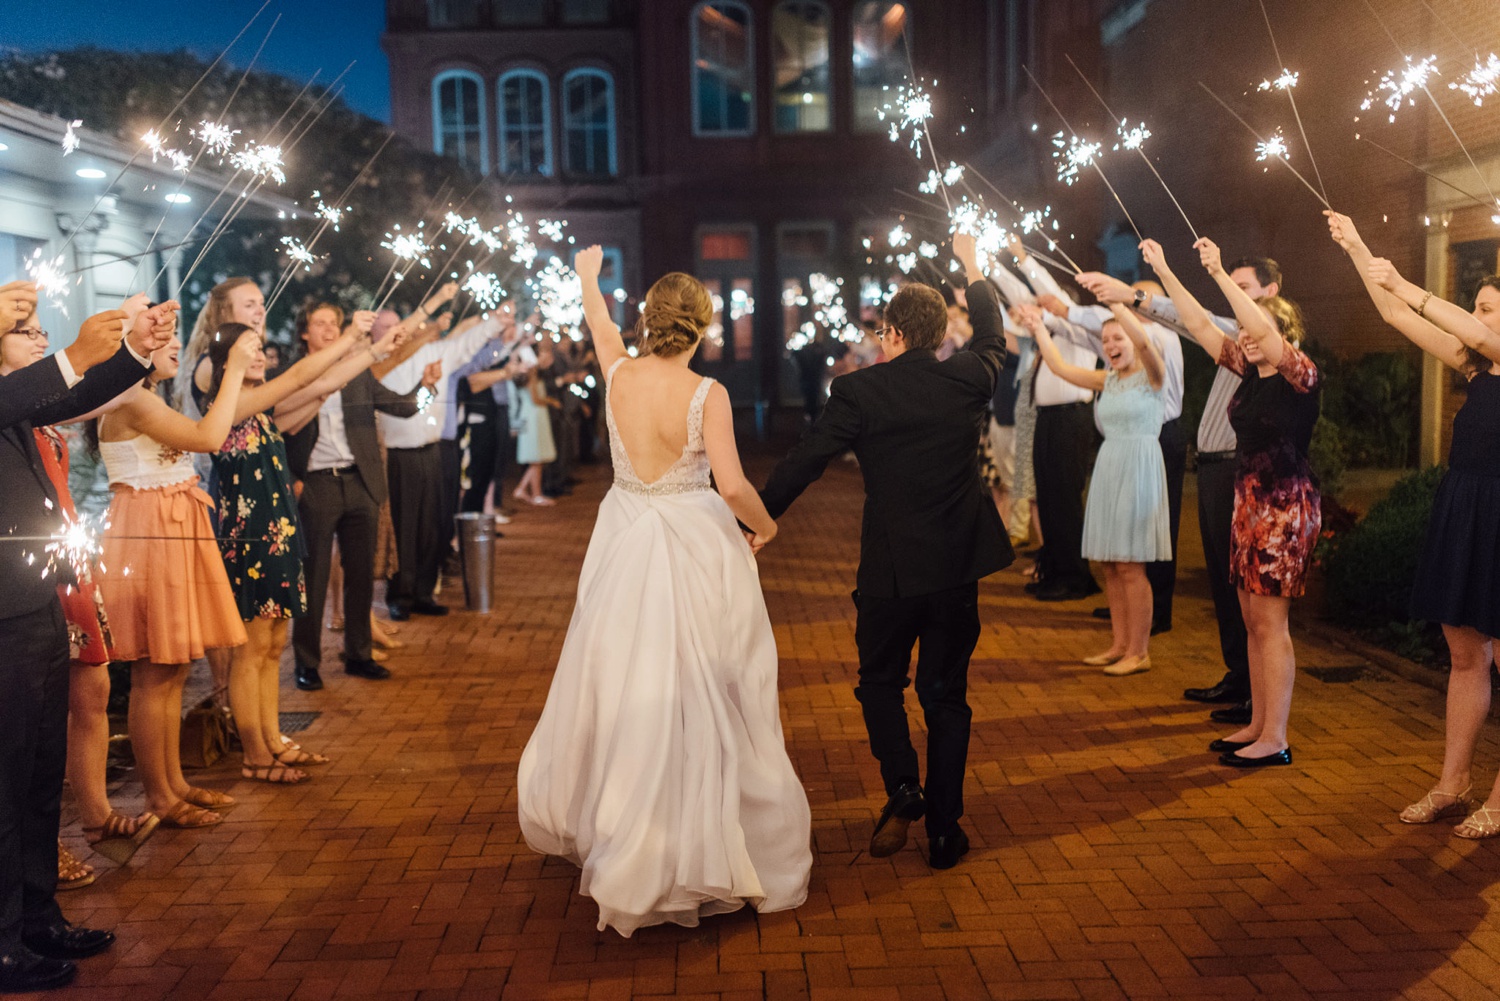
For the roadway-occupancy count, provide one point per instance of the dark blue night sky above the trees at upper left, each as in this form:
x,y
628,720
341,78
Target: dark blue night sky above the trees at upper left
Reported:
x,y
313,35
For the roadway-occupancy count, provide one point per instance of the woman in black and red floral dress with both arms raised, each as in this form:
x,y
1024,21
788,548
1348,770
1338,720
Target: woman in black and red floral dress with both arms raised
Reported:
x,y
1277,502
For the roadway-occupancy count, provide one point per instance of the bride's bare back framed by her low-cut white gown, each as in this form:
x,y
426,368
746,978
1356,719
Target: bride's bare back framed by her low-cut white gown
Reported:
x,y
650,398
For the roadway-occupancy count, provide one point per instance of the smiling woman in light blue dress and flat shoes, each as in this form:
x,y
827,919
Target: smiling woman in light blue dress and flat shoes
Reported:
x,y
1126,525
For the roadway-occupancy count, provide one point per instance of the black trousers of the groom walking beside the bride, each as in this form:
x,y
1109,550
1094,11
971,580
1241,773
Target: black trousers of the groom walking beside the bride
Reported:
x,y
946,628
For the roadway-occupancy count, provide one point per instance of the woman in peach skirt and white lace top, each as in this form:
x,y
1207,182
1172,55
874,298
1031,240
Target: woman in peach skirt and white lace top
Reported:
x,y
163,582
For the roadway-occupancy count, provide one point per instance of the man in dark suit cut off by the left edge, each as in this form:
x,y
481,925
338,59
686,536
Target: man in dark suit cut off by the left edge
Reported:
x,y
37,943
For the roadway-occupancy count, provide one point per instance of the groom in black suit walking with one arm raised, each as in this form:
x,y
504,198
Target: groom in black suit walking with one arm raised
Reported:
x,y
931,532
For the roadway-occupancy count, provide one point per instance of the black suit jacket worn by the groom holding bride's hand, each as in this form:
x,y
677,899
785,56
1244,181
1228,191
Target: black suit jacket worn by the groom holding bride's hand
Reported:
x,y
914,424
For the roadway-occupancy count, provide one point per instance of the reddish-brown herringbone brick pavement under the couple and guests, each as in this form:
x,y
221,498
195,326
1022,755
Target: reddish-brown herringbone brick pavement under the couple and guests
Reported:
x,y
1112,856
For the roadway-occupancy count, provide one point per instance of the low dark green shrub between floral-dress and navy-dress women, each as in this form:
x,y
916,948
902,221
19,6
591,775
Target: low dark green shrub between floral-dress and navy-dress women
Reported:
x,y
1370,571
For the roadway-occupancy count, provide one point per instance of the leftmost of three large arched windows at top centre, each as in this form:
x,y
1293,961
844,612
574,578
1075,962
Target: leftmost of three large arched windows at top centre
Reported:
x,y
724,70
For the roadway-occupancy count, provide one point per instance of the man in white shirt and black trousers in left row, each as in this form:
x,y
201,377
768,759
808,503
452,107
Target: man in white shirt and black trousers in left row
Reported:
x,y
416,467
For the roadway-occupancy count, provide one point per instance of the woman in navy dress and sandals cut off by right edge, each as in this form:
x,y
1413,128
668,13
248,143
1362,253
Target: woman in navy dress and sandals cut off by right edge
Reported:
x,y
1459,574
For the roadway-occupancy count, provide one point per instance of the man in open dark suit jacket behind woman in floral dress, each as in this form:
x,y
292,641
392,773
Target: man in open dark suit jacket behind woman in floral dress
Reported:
x,y
337,458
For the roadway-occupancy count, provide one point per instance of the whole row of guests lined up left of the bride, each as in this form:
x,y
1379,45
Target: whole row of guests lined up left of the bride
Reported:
x,y
241,496
